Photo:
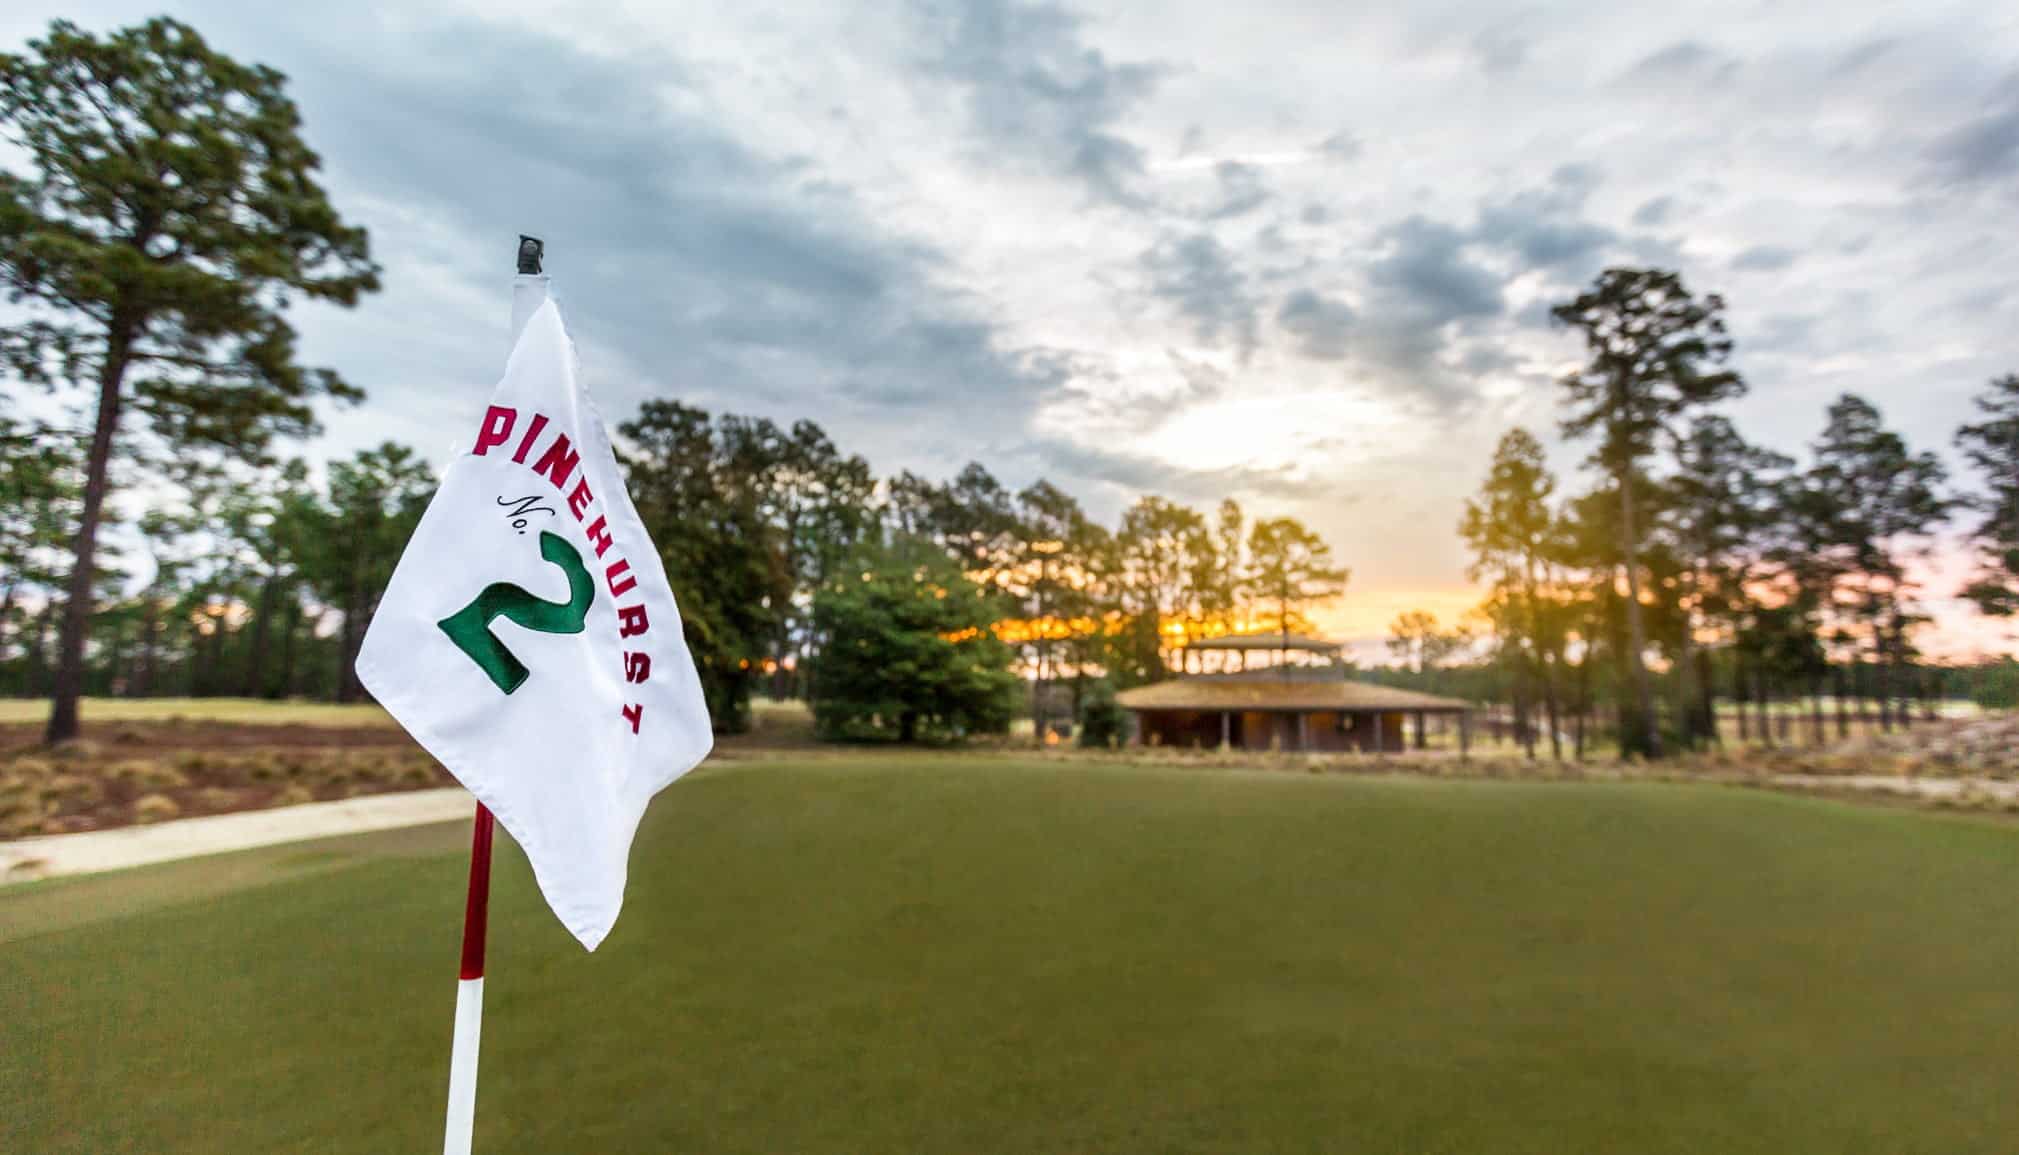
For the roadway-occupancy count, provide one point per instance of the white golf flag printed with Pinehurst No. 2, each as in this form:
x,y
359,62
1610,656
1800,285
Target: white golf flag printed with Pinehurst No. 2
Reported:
x,y
530,639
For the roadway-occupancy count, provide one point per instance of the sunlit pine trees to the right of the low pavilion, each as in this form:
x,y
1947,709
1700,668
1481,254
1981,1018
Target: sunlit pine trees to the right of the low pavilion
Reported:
x,y
1701,566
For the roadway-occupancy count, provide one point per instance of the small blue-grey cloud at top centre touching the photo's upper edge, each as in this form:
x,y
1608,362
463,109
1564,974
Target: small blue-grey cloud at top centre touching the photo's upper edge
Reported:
x,y
1037,92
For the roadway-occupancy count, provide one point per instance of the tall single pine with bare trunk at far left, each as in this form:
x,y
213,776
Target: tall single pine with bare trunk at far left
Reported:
x,y
167,215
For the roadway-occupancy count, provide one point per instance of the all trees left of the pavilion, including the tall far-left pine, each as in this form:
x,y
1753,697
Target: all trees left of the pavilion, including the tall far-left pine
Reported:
x,y
163,219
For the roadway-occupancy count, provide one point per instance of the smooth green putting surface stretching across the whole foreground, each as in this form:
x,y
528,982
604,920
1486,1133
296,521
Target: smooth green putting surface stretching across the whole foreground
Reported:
x,y
980,956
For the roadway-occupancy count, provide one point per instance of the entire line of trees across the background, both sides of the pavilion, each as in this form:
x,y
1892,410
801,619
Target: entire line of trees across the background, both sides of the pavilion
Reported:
x,y
165,213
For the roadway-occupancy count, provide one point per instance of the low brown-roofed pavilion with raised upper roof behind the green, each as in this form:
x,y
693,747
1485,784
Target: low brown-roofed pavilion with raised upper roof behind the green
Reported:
x,y
1291,694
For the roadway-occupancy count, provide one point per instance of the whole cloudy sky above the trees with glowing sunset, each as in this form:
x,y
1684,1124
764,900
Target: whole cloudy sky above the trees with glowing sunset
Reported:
x,y
1295,253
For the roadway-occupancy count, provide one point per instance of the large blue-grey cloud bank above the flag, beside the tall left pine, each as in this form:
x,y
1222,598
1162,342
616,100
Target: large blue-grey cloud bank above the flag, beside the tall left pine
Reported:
x,y
692,264
